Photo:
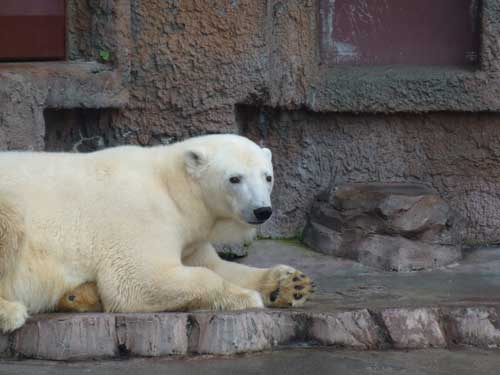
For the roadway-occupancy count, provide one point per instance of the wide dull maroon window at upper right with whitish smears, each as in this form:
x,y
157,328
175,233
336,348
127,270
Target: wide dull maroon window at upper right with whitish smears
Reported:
x,y
413,32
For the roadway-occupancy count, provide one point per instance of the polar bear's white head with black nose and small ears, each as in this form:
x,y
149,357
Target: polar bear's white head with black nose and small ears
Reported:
x,y
235,176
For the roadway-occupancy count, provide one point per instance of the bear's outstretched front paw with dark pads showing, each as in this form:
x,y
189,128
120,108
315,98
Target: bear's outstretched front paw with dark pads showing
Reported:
x,y
284,286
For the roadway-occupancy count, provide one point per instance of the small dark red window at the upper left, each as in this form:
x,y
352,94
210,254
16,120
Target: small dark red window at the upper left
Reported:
x,y
32,30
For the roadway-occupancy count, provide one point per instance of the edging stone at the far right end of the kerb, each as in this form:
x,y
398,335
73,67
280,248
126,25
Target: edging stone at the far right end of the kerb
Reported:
x,y
475,326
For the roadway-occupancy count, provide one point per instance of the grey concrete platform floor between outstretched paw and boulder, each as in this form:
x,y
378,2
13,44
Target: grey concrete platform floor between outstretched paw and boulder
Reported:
x,y
344,284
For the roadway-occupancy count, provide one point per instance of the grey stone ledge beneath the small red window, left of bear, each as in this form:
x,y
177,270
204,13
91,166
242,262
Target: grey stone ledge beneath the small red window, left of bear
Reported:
x,y
27,89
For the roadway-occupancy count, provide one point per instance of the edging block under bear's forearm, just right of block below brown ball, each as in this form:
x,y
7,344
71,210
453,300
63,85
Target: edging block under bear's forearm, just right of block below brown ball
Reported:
x,y
152,335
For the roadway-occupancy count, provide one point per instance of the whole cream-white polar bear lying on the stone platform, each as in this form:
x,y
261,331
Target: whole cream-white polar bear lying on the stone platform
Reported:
x,y
139,222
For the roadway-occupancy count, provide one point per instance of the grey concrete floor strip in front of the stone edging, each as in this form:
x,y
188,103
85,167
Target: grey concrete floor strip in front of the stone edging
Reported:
x,y
290,362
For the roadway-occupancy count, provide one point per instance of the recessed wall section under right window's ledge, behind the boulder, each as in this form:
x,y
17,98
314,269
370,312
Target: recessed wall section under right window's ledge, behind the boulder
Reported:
x,y
455,153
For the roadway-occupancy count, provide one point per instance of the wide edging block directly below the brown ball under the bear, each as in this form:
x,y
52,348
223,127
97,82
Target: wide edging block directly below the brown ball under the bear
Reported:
x,y
67,337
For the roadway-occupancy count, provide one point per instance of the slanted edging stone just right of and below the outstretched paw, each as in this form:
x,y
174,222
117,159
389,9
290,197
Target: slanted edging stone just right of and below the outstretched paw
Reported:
x,y
355,329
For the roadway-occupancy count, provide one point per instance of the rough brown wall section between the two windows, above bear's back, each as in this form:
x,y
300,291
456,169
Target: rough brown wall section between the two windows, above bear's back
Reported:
x,y
191,61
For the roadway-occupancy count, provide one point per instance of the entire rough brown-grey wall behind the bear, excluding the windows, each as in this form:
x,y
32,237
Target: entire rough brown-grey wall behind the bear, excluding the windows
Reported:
x,y
253,66
